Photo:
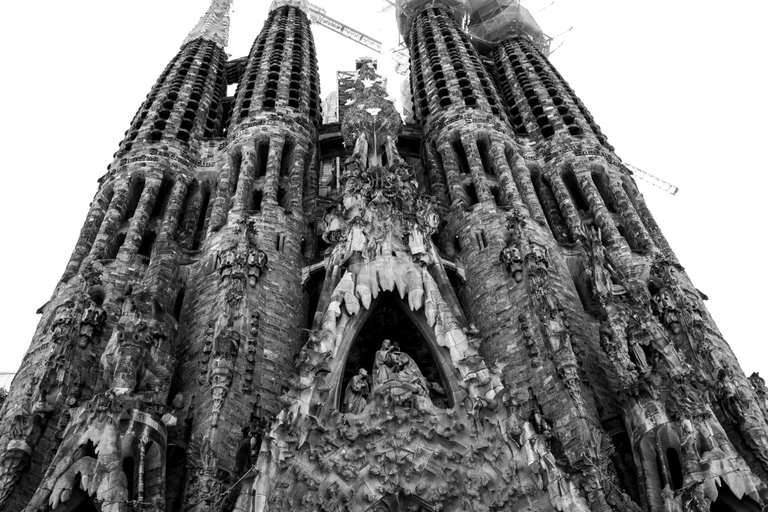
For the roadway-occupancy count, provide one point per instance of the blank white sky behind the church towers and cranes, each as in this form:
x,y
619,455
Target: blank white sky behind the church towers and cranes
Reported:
x,y
678,87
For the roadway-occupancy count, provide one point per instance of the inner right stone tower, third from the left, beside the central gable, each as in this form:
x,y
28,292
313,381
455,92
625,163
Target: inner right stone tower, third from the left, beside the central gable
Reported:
x,y
473,151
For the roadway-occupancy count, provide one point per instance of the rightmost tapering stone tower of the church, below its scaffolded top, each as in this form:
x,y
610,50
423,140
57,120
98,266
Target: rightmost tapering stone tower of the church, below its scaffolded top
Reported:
x,y
662,376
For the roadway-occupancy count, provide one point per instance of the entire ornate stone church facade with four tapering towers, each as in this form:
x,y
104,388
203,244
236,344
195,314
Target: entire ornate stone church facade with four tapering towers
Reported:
x,y
472,312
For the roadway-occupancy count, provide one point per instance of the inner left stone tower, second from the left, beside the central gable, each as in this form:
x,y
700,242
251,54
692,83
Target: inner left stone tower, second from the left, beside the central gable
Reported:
x,y
248,293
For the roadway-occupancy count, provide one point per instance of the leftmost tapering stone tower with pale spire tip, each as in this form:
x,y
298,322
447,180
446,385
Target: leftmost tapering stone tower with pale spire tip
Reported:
x,y
93,419
